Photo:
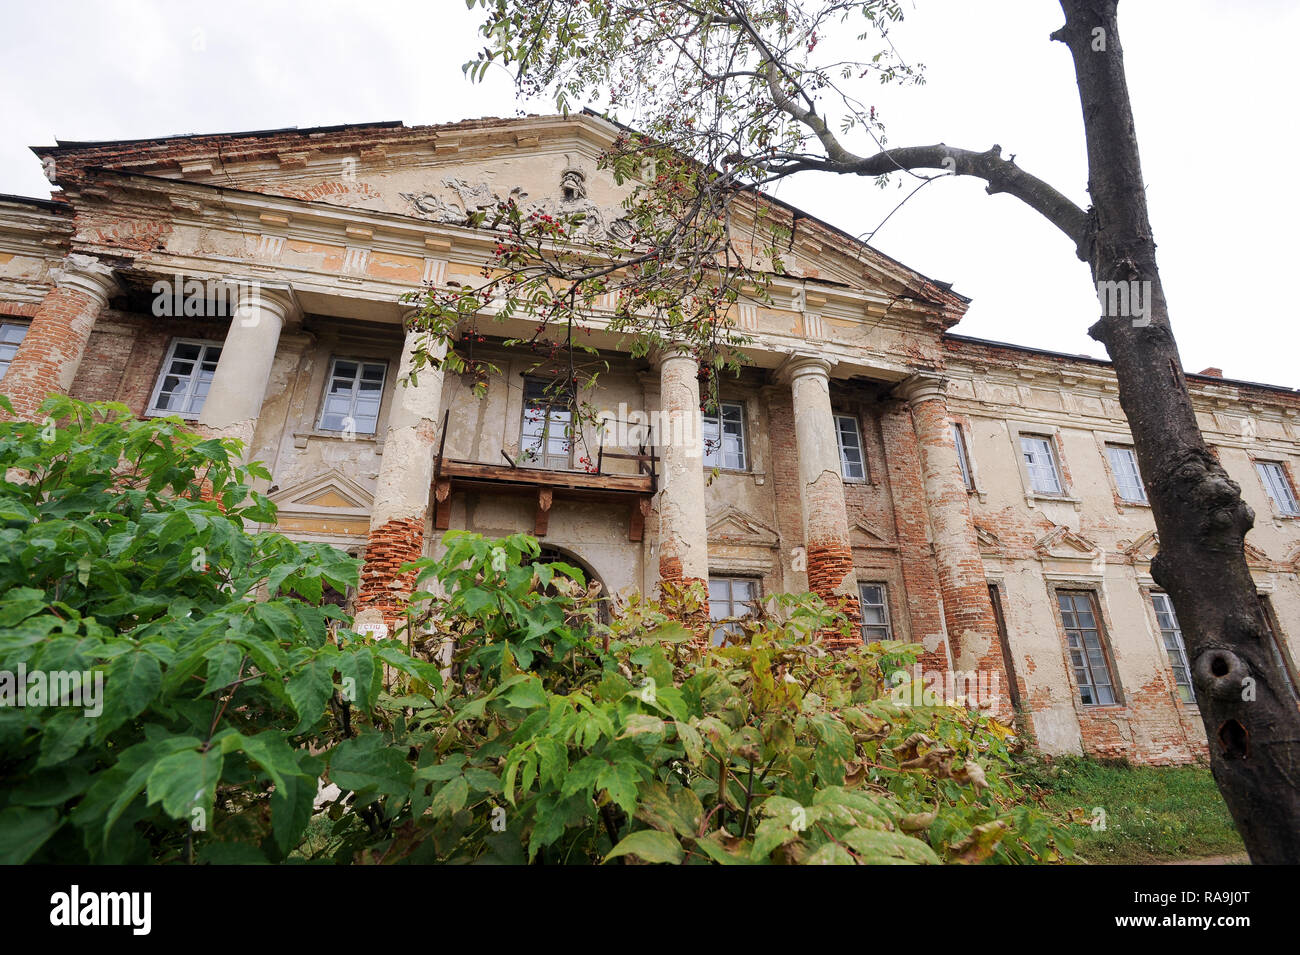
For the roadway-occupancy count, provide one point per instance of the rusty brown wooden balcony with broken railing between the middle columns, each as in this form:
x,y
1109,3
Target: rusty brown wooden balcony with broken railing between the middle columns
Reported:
x,y
548,485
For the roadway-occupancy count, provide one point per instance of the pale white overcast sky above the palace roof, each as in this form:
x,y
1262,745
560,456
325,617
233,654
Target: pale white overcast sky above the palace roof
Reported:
x,y
1214,85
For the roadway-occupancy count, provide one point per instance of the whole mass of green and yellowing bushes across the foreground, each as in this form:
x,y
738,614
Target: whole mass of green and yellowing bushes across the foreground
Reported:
x,y
231,689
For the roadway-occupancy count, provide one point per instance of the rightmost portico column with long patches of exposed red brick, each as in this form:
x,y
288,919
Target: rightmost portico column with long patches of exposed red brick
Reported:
x,y
972,626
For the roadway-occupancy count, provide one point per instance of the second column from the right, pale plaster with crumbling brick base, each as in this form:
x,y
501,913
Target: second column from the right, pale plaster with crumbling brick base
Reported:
x,y
826,523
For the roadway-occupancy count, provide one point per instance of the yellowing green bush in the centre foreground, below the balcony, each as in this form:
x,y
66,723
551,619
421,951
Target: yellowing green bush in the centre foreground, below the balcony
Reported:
x,y
556,740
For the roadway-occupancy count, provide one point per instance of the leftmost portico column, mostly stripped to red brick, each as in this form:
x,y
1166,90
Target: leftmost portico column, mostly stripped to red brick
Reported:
x,y
49,358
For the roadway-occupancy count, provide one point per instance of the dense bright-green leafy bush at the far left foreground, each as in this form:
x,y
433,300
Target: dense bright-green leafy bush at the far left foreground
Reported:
x,y
124,554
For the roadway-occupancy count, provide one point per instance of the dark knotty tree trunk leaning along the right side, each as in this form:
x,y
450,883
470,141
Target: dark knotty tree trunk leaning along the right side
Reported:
x,y
1251,720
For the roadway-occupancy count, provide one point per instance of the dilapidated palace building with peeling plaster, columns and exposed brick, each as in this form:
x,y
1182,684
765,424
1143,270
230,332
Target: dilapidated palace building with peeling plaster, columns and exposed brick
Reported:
x,y
978,498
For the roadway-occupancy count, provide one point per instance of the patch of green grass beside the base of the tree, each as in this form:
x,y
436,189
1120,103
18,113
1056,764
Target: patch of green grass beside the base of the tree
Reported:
x,y
1152,814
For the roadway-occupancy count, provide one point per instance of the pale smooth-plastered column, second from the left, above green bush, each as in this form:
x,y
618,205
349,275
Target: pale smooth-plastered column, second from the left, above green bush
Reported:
x,y
240,384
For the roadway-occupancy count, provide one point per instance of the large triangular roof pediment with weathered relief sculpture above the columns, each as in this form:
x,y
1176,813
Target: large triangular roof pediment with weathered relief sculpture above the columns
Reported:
x,y
444,175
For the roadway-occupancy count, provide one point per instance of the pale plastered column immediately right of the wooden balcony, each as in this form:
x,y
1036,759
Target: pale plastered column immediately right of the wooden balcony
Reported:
x,y
683,533
